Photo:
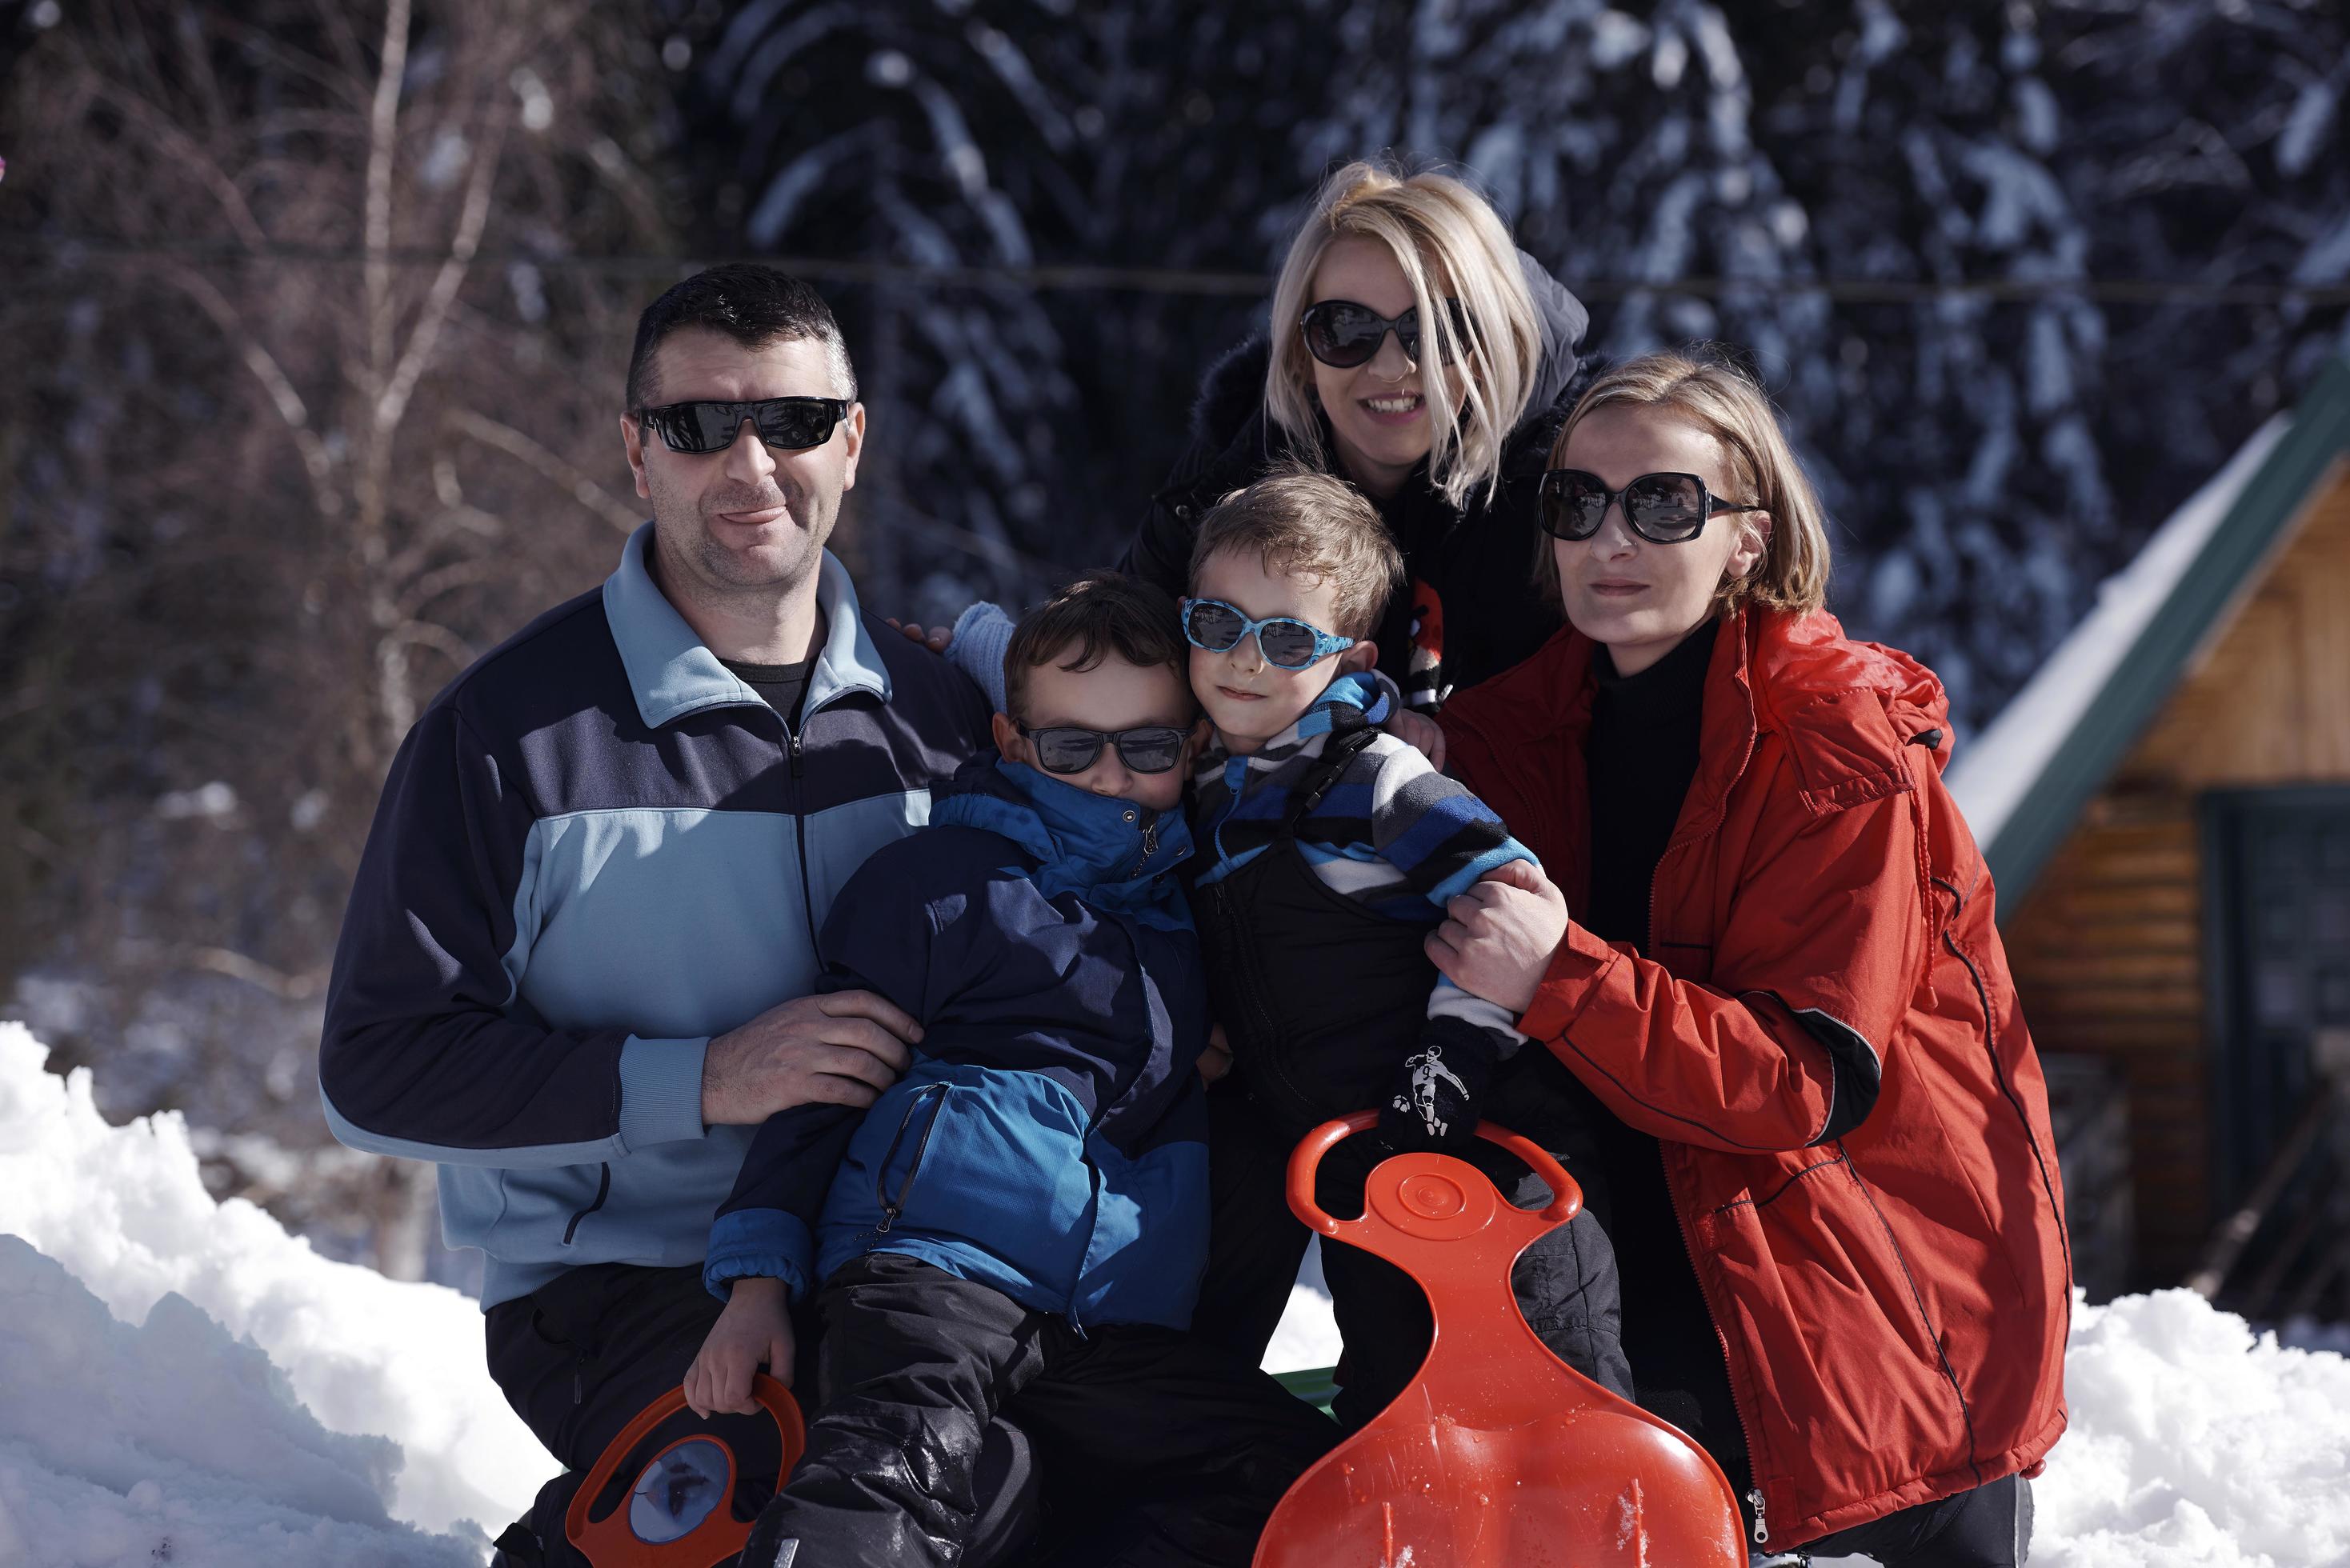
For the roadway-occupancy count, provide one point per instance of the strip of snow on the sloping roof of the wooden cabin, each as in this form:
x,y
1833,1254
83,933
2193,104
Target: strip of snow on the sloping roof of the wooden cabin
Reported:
x,y
1996,772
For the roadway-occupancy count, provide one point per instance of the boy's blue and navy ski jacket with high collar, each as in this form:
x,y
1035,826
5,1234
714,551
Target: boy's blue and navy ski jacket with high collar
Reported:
x,y
1049,1137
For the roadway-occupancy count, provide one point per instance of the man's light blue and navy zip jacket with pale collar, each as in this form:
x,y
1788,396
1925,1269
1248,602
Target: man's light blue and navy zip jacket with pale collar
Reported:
x,y
596,852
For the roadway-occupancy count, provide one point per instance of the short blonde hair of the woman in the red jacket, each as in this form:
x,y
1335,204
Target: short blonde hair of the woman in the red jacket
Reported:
x,y
1710,394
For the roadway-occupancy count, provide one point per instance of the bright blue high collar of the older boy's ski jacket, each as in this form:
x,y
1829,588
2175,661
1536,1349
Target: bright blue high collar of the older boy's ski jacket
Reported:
x,y
1108,852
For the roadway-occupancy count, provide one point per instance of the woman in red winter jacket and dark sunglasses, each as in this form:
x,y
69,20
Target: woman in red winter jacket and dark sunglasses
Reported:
x,y
1834,1186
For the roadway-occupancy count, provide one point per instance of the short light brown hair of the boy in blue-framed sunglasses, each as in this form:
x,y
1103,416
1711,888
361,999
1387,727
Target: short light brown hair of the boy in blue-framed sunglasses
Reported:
x,y
1305,523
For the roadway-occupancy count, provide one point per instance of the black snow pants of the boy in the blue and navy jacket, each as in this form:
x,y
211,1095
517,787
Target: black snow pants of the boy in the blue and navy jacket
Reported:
x,y
1188,1449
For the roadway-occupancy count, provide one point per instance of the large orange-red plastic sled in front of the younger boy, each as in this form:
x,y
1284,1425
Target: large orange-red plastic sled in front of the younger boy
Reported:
x,y
1498,1454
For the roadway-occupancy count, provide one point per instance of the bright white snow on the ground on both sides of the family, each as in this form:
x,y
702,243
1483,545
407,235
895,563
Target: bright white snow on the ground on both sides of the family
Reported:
x,y
187,1383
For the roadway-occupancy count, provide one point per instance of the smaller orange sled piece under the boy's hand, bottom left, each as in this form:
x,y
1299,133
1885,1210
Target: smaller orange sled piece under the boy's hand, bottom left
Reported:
x,y
680,1506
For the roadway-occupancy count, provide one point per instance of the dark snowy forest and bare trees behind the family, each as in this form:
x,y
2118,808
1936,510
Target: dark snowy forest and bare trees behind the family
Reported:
x,y
316,319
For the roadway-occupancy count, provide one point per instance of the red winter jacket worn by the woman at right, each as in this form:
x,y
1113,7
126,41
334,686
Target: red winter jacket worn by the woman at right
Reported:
x,y
1825,1038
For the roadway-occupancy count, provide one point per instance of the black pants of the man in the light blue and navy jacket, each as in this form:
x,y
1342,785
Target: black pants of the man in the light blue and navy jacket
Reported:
x,y
593,1348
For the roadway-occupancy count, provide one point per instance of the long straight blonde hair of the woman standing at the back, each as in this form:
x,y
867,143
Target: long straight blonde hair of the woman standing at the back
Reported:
x,y
1435,227
